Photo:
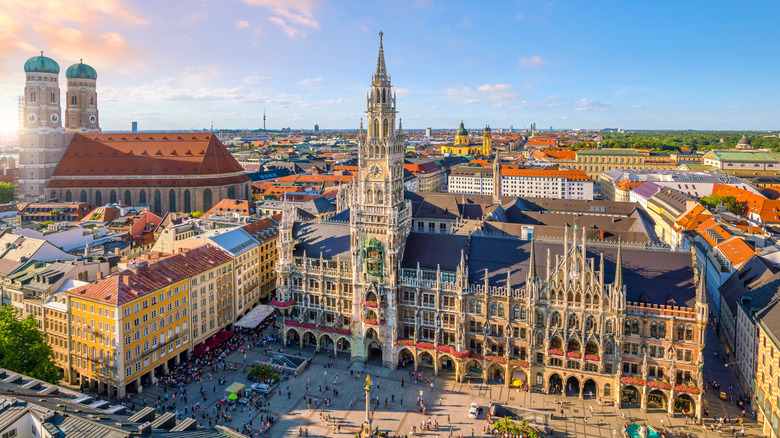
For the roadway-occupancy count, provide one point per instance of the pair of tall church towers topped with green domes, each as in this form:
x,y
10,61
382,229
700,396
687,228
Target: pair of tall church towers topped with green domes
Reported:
x,y
43,137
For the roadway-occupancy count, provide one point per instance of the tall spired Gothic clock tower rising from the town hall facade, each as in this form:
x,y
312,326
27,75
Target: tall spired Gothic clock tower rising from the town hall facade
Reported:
x,y
380,221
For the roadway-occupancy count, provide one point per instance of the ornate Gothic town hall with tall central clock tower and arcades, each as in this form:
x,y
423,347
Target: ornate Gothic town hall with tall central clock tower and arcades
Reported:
x,y
455,285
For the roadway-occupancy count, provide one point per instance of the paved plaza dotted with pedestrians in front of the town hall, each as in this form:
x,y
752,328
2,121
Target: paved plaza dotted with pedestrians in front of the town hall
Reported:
x,y
348,408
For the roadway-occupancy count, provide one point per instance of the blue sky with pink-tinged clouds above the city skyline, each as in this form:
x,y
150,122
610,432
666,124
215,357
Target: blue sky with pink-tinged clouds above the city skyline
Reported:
x,y
185,64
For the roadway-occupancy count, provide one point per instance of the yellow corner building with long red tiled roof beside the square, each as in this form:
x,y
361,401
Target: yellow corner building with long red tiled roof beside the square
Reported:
x,y
129,329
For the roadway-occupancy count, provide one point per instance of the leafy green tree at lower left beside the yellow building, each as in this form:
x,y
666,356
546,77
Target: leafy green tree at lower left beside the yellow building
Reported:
x,y
23,347
